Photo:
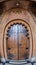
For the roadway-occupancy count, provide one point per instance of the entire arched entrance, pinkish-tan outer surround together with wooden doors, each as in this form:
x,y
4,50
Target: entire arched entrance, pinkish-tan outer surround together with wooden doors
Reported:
x,y
17,34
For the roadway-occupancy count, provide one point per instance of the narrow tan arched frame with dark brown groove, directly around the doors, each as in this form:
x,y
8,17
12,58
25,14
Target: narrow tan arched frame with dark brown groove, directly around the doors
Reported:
x,y
31,38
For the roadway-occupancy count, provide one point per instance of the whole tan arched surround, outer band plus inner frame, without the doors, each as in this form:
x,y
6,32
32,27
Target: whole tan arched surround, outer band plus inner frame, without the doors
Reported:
x,y
22,16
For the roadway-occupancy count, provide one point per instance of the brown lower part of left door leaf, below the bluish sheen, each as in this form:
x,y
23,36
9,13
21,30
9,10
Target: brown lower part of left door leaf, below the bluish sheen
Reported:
x,y
13,49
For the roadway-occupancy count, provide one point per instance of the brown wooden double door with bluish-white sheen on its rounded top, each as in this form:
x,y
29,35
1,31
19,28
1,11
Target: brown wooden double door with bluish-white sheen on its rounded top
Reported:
x,y
17,42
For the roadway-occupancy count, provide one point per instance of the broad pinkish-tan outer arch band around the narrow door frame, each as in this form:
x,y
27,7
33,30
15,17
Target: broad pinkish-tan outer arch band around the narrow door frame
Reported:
x,y
15,14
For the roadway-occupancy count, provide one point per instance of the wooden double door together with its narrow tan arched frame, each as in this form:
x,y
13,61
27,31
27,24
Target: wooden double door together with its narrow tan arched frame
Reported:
x,y
17,39
